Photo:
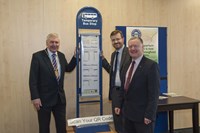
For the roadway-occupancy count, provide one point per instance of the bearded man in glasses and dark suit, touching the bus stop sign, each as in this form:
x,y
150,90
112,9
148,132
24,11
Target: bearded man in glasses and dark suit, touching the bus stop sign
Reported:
x,y
114,68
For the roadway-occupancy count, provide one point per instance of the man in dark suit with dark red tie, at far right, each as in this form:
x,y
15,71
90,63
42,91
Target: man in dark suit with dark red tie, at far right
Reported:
x,y
139,96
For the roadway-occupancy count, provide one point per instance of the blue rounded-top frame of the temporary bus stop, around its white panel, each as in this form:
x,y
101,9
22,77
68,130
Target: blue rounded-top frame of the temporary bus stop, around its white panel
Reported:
x,y
88,18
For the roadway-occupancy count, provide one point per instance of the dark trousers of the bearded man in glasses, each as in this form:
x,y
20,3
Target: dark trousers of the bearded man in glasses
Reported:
x,y
117,119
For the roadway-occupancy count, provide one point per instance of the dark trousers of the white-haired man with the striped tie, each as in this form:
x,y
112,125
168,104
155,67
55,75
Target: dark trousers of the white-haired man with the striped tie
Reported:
x,y
59,113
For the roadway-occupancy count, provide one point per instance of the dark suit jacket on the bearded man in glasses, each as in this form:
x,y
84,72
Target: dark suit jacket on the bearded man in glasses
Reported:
x,y
109,67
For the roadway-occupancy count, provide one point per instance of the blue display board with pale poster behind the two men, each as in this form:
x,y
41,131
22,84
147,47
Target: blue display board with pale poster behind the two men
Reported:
x,y
155,41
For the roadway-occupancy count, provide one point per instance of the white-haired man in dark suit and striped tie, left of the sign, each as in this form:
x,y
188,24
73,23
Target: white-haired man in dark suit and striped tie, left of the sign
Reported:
x,y
46,81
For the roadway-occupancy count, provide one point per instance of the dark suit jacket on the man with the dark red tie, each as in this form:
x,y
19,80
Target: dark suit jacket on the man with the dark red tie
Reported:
x,y
140,101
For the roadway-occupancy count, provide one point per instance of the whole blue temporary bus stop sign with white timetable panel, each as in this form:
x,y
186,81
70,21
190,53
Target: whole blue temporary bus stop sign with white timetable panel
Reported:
x,y
89,66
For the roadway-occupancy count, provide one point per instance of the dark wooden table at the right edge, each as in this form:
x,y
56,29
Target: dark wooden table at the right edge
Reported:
x,y
177,103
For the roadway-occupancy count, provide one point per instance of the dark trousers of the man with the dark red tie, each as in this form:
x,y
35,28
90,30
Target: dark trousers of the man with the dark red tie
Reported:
x,y
138,127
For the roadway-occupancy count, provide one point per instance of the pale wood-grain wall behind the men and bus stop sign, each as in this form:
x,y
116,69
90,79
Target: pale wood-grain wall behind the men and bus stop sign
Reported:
x,y
25,24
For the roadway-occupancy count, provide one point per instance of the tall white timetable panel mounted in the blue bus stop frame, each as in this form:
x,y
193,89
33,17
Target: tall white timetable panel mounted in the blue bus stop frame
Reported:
x,y
90,65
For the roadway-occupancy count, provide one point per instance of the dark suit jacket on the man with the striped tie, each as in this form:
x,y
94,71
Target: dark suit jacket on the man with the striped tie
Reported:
x,y
42,80
